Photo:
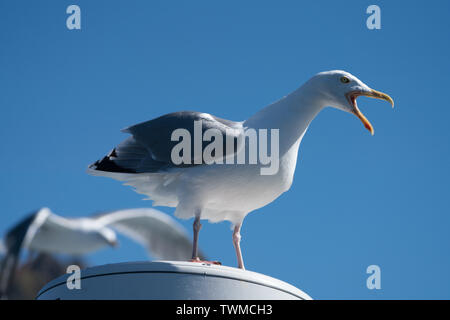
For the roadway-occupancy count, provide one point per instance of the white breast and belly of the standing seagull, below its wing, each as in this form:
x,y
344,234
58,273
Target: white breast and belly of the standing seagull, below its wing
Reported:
x,y
229,192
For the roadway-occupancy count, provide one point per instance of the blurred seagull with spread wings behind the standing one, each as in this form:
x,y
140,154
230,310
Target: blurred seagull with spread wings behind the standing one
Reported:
x,y
46,232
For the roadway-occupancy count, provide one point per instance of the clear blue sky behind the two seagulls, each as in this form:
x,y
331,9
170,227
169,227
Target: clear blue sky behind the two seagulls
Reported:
x,y
356,200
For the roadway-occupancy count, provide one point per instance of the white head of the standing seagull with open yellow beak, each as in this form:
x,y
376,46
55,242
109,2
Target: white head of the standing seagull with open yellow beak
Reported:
x,y
339,89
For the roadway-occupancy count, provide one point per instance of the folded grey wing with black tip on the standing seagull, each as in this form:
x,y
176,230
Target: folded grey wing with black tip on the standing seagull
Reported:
x,y
150,146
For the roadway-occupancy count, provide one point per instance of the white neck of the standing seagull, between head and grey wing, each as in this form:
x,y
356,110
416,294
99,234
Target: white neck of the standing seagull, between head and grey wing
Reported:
x,y
291,115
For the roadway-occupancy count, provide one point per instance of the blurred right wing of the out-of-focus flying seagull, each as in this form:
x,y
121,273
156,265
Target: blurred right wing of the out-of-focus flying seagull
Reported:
x,y
163,237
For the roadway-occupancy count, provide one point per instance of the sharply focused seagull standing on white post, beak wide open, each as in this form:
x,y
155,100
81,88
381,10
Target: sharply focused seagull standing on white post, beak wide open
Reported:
x,y
225,190
